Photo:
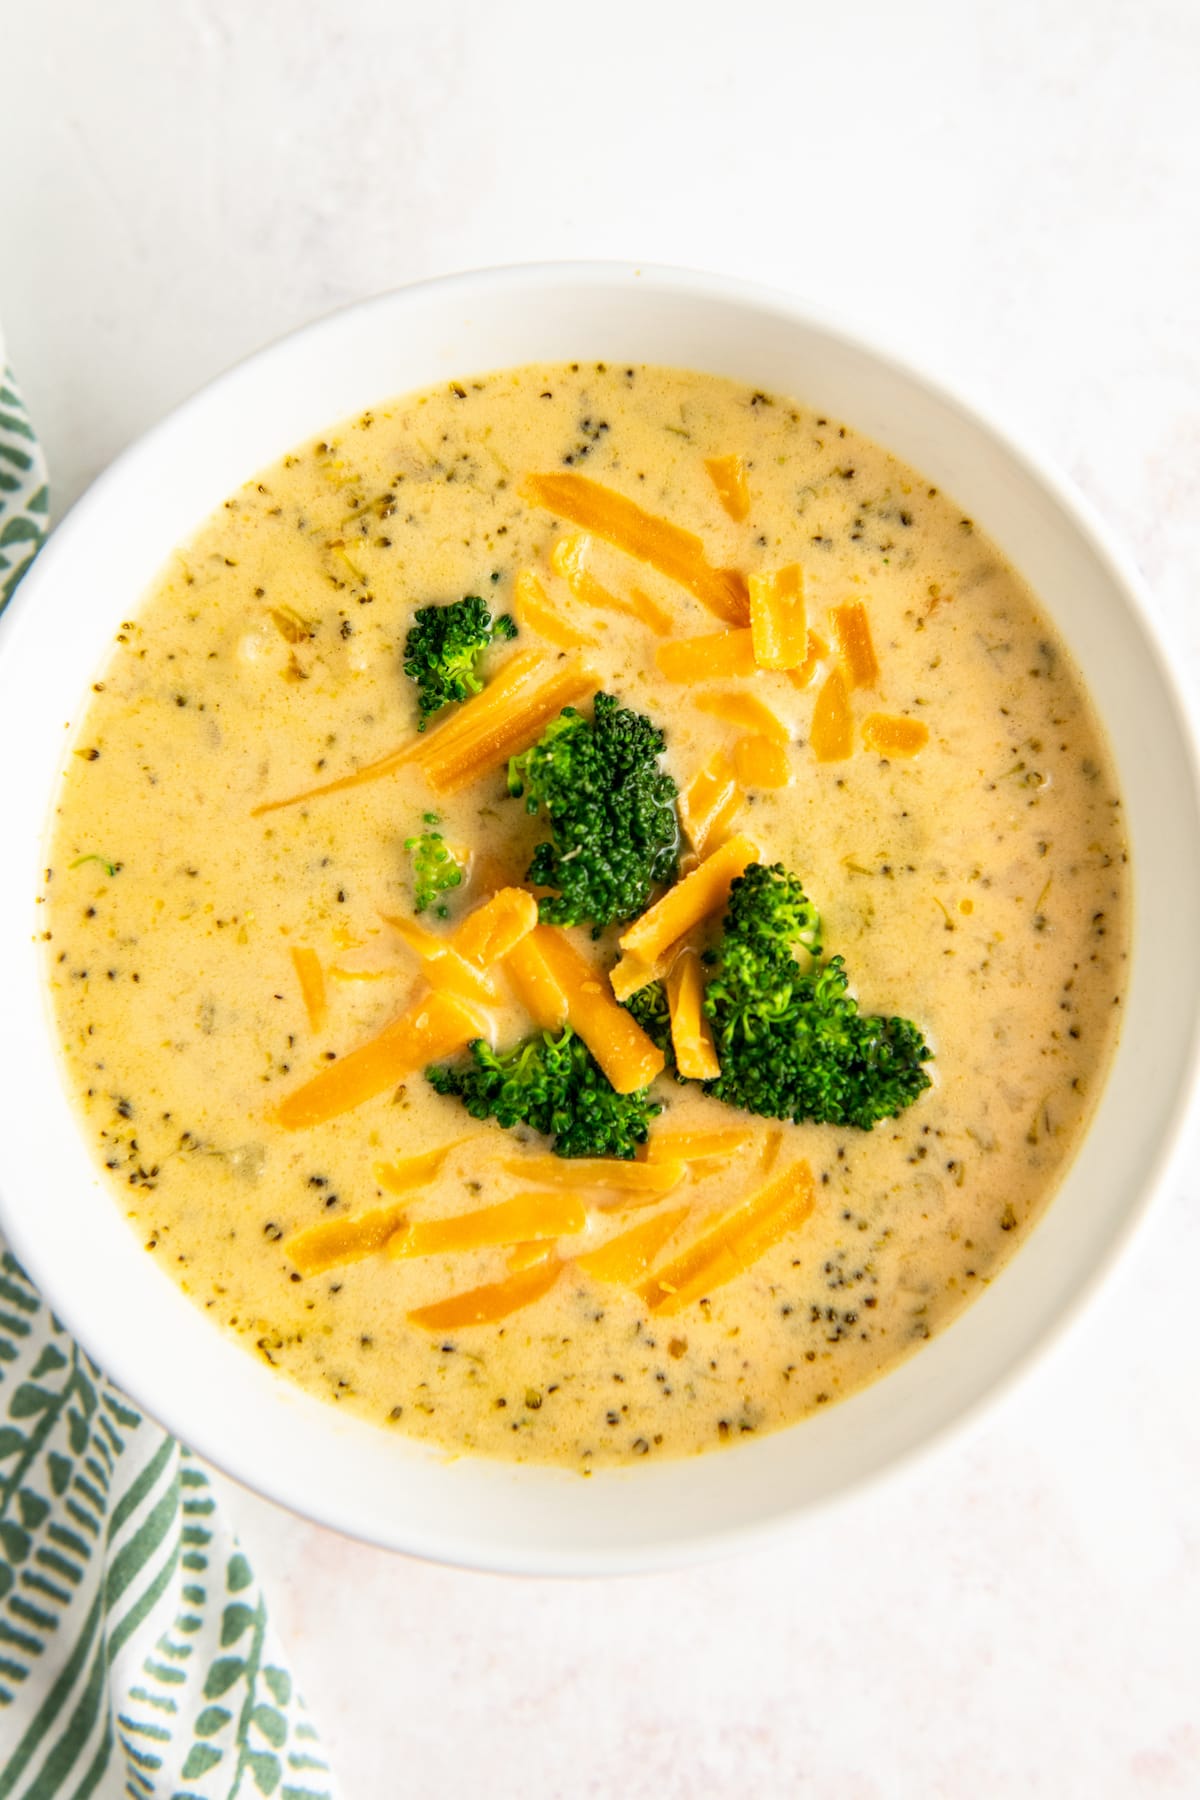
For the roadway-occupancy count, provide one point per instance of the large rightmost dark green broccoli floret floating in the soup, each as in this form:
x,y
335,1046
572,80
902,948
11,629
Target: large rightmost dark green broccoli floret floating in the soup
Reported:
x,y
789,1038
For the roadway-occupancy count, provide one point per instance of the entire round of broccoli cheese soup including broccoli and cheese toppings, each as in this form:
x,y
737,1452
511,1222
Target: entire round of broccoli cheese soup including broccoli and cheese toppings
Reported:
x,y
587,913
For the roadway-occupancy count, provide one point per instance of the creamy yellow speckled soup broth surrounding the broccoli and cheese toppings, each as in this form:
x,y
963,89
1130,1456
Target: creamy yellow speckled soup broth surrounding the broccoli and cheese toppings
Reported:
x,y
978,888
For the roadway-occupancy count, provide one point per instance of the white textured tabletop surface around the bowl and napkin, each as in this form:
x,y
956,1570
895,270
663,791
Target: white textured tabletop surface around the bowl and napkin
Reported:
x,y
1007,190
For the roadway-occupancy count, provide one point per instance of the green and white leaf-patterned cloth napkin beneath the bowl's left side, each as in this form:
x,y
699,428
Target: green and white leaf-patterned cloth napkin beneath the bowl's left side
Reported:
x,y
136,1653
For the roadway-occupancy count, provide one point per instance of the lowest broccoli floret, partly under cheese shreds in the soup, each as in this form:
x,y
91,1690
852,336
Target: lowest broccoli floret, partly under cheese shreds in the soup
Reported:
x,y
555,1086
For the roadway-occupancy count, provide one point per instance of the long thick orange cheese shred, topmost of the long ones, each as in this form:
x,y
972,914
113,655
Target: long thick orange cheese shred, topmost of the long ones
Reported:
x,y
667,548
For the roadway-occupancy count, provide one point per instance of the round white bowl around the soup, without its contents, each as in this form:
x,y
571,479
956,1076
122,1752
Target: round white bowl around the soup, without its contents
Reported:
x,y
78,1246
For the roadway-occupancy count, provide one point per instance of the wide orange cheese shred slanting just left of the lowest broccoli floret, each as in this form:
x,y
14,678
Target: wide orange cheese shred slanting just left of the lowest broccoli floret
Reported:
x,y
429,1029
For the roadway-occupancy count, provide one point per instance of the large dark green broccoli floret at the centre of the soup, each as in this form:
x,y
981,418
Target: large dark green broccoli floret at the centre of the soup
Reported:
x,y
613,816
